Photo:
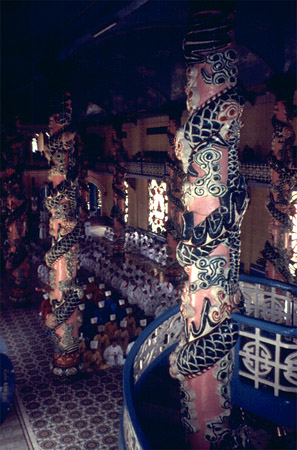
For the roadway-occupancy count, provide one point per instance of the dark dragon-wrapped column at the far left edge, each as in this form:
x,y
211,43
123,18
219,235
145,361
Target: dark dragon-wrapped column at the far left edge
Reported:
x,y
16,253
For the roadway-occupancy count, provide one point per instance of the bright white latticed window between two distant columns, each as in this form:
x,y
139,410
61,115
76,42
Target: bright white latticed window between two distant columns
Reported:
x,y
158,206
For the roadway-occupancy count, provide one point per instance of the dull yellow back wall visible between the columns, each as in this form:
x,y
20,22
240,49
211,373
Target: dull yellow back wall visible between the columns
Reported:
x,y
256,133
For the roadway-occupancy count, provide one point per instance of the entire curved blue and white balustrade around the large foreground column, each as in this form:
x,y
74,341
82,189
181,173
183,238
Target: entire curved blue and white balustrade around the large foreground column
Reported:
x,y
264,379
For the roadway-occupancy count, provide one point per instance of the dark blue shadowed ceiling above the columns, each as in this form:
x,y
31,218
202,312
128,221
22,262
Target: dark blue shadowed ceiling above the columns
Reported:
x,y
120,58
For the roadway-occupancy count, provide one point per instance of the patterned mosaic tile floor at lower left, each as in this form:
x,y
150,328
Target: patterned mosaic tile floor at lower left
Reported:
x,y
64,414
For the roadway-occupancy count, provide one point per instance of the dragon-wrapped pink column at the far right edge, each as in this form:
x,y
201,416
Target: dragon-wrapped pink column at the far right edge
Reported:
x,y
278,249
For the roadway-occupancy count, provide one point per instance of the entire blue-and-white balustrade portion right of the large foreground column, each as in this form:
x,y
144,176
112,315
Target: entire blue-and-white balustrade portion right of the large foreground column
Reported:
x,y
264,379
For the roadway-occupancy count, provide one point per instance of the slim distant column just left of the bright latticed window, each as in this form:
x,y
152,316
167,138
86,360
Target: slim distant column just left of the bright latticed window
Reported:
x,y
119,195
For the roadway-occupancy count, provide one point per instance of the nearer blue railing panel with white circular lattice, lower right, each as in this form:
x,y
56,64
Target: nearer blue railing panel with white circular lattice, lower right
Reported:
x,y
264,375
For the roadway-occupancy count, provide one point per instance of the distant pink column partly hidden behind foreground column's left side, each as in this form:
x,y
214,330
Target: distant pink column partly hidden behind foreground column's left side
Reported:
x,y
175,204
